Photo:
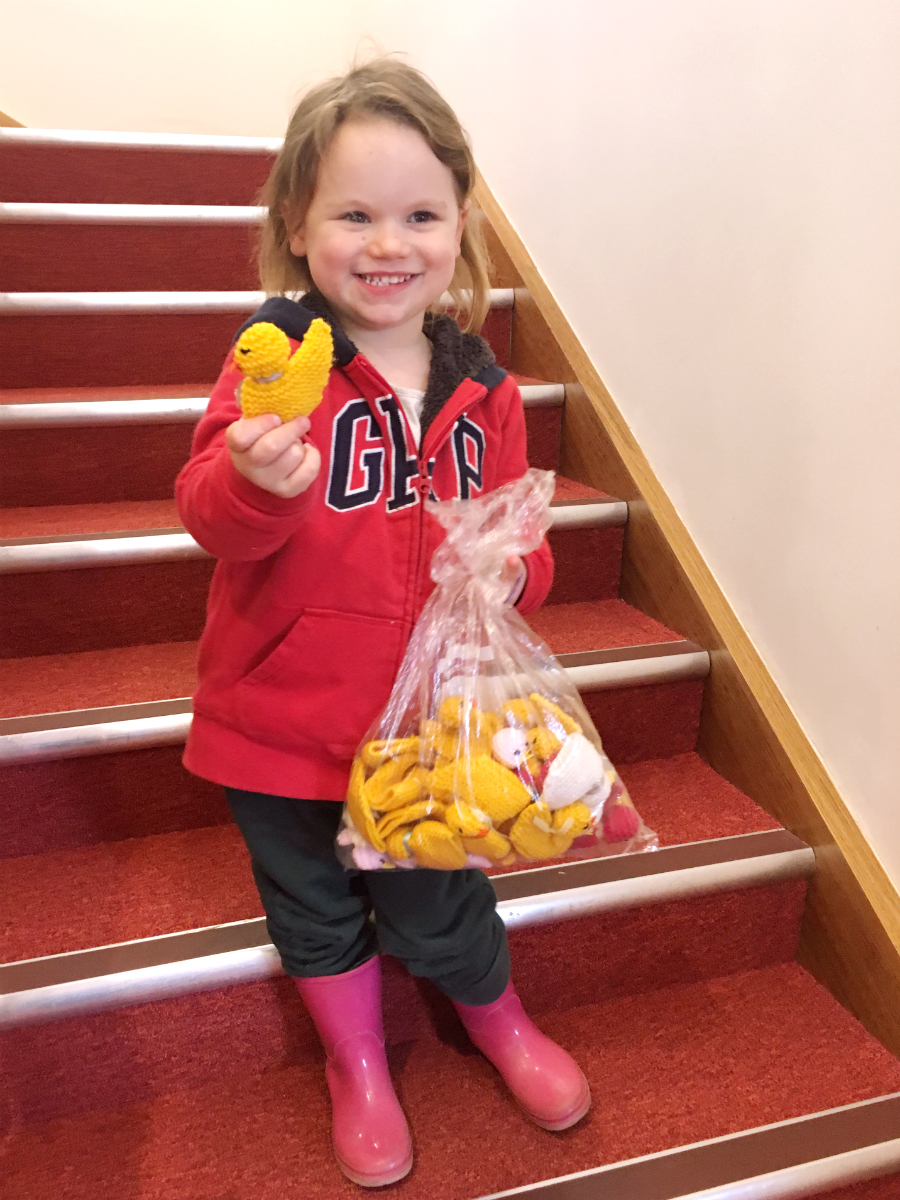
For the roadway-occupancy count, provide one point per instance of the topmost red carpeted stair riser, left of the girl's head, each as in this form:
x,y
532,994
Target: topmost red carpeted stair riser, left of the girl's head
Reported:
x,y
65,175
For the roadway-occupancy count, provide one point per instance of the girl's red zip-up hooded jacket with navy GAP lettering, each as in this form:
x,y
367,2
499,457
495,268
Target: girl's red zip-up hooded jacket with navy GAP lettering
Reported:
x,y
314,598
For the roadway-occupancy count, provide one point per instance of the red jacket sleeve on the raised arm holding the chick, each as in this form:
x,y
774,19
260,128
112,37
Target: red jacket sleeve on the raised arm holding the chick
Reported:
x,y
229,515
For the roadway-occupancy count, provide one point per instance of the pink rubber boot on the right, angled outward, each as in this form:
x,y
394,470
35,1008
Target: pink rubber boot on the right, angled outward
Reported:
x,y
547,1082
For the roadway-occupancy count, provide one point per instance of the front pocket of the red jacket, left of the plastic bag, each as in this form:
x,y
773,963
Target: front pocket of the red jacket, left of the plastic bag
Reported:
x,y
325,683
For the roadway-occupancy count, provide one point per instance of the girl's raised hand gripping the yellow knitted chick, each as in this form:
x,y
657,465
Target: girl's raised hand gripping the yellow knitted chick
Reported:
x,y
272,455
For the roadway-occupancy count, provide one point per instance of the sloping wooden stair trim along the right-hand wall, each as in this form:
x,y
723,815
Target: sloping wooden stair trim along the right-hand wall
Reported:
x,y
749,734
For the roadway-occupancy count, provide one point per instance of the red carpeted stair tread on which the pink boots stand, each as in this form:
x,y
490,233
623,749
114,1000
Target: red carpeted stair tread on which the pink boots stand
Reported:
x,y
668,1069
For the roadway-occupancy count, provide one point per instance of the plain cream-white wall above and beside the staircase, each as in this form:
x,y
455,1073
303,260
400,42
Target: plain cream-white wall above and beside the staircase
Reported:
x,y
712,190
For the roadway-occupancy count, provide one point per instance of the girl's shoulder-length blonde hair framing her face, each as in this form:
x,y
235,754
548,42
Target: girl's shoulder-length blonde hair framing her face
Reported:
x,y
385,88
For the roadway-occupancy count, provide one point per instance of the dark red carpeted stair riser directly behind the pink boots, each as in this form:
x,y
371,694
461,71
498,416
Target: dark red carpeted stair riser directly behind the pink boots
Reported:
x,y
119,1057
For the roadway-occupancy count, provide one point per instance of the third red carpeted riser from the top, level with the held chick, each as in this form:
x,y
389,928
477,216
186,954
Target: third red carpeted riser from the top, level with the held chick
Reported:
x,y
99,351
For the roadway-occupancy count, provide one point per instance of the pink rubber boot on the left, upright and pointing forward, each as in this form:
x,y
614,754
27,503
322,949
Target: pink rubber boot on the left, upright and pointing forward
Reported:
x,y
369,1130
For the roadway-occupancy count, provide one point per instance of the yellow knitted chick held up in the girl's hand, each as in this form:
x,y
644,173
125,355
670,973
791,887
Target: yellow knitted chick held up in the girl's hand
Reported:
x,y
278,382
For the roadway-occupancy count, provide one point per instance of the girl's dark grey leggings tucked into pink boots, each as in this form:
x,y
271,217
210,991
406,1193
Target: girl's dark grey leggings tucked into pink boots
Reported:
x,y
441,925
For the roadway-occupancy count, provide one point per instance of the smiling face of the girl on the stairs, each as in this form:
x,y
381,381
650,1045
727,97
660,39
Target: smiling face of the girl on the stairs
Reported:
x,y
382,233
